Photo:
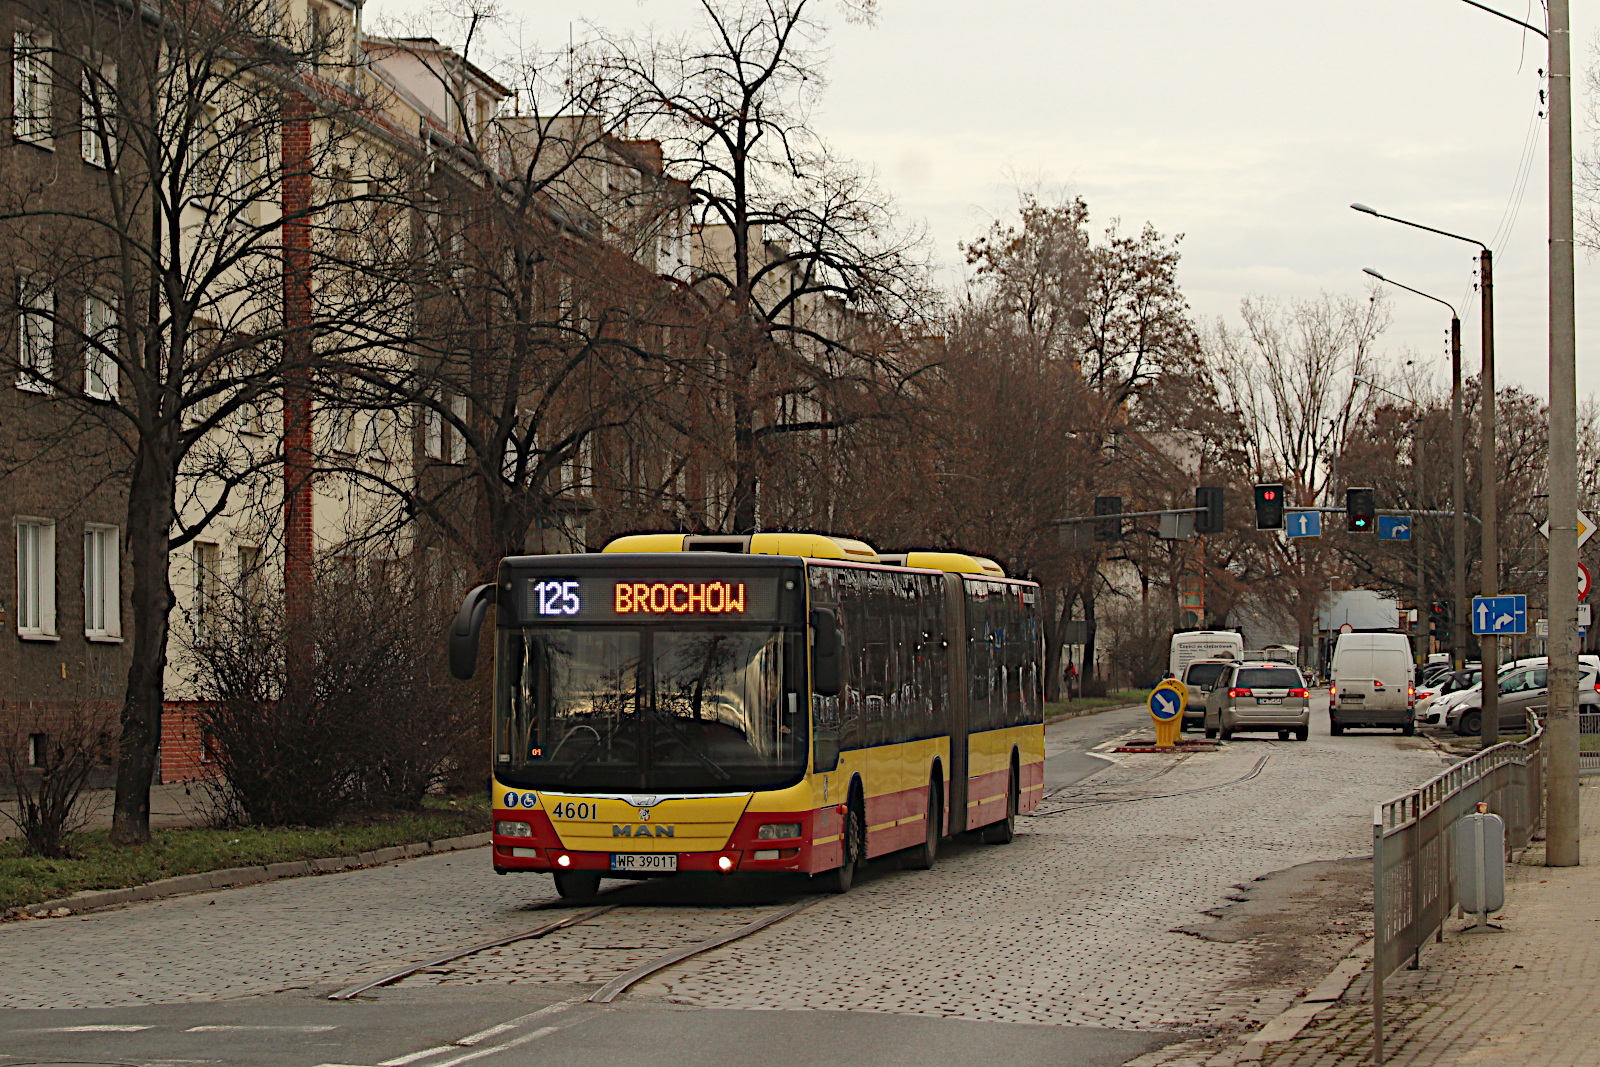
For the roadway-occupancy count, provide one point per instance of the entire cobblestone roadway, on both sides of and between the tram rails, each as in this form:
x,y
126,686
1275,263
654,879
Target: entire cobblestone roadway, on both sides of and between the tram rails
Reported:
x,y
1071,924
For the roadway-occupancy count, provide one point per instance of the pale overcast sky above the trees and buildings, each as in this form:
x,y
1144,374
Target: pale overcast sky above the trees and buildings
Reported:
x,y
1246,126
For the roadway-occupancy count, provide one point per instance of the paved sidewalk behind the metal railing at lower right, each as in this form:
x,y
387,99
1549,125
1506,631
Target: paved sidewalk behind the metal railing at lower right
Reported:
x,y
1526,996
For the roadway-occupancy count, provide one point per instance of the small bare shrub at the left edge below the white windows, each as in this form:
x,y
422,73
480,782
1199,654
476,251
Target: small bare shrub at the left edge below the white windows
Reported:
x,y
49,756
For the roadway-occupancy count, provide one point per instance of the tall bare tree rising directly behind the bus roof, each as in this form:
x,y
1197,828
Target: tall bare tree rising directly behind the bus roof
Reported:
x,y
801,268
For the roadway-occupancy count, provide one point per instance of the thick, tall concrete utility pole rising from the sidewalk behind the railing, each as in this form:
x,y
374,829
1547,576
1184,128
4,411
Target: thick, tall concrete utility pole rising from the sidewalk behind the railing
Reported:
x,y
1561,737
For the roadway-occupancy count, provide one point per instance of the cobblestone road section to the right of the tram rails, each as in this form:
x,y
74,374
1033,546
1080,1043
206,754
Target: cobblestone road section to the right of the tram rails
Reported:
x,y
1074,922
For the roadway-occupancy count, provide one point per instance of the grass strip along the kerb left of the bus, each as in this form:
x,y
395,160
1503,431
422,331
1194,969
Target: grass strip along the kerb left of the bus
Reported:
x,y
98,865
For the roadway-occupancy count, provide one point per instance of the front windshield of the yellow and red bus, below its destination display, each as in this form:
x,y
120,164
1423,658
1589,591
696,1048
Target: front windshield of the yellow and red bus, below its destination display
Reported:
x,y
652,709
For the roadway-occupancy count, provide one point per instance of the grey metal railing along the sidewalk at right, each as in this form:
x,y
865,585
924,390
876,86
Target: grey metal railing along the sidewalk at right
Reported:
x,y
1415,857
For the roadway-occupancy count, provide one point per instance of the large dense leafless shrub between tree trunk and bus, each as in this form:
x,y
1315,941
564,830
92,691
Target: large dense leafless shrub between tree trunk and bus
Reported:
x,y
367,722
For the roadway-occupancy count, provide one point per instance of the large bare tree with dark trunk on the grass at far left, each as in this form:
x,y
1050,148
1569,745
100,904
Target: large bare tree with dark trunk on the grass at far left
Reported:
x,y
178,294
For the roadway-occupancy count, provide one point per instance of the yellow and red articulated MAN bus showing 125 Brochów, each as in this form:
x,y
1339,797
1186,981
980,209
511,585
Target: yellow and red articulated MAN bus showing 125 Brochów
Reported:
x,y
777,703
